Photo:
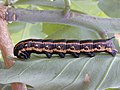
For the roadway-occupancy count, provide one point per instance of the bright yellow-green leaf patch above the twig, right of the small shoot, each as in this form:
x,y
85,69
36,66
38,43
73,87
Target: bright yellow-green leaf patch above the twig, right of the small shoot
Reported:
x,y
87,6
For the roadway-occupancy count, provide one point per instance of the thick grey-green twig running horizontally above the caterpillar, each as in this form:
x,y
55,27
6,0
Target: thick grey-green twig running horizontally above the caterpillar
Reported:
x,y
97,25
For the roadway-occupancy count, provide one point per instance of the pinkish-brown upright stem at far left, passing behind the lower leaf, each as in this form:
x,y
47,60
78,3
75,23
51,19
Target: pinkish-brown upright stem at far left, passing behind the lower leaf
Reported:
x,y
6,46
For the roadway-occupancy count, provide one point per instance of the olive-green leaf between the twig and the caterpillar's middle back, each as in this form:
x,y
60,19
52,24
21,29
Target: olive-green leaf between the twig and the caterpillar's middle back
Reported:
x,y
59,31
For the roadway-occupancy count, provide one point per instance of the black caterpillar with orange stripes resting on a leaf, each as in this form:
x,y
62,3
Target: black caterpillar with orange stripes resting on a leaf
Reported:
x,y
24,48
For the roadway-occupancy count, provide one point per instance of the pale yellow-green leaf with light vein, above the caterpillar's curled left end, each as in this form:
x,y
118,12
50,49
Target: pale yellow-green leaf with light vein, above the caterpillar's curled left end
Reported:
x,y
21,31
